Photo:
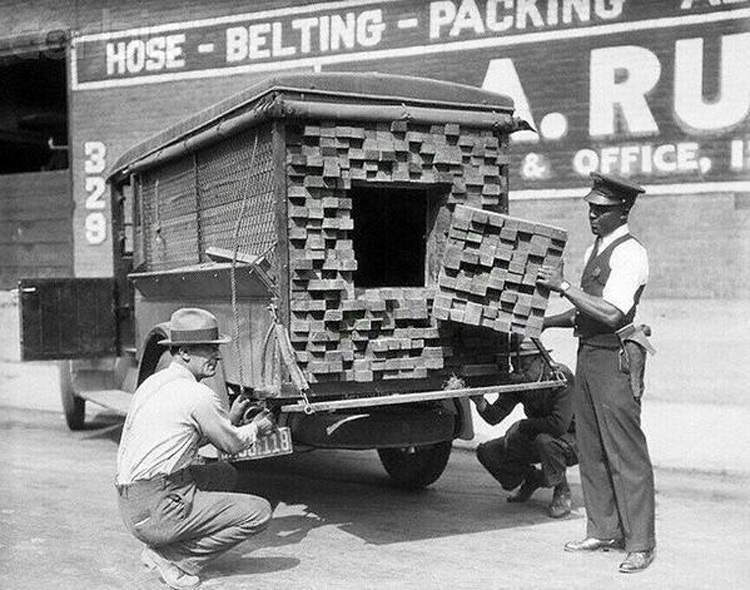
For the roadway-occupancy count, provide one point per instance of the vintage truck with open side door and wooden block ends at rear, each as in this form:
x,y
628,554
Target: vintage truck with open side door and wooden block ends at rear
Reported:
x,y
332,223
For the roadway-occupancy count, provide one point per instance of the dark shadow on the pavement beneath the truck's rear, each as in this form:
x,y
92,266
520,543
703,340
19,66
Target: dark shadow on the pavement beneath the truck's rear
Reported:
x,y
350,490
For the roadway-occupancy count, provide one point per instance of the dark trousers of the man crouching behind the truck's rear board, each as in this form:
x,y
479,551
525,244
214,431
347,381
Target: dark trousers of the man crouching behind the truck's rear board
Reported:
x,y
511,458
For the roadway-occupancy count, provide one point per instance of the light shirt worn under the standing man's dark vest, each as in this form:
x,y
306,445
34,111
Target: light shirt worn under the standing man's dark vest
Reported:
x,y
629,269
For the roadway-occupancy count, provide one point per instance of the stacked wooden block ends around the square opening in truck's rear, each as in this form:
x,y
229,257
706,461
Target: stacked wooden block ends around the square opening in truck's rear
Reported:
x,y
385,333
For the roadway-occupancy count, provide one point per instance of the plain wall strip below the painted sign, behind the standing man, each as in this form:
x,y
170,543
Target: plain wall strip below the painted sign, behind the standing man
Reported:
x,y
698,244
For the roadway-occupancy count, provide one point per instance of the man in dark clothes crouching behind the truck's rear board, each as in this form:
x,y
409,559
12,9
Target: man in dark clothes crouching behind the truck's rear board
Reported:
x,y
546,436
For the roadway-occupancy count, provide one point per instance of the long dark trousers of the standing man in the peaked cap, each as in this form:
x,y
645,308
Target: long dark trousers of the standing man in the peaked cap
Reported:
x,y
616,473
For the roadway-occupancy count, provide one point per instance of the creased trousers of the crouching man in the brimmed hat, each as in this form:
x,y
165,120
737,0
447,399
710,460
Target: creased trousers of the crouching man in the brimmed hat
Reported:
x,y
192,516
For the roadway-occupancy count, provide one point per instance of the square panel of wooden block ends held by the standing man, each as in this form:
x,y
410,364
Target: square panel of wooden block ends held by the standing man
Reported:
x,y
489,271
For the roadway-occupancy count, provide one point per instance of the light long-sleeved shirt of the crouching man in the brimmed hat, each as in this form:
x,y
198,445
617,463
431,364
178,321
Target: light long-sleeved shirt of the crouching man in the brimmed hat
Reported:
x,y
170,417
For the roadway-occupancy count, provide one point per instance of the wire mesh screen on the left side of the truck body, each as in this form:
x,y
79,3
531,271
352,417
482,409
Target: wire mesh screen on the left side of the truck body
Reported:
x,y
194,203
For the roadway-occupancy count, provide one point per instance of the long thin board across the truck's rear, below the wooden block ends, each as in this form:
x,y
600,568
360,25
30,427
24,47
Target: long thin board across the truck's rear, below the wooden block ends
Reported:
x,y
422,396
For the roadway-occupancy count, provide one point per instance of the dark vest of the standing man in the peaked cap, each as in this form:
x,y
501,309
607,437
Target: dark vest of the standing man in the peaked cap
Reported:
x,y
594,278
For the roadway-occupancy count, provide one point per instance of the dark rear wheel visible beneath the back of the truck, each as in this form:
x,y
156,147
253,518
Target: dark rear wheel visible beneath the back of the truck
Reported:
x,y
414,468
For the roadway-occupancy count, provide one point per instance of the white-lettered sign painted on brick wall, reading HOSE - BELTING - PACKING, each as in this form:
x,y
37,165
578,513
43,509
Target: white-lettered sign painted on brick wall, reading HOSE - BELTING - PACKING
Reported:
x,y
653,89
